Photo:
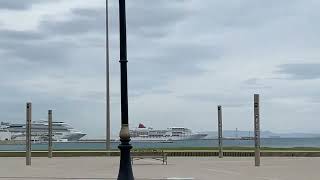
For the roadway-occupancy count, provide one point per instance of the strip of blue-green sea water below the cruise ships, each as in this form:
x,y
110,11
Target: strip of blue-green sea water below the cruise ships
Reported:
x,y
265,142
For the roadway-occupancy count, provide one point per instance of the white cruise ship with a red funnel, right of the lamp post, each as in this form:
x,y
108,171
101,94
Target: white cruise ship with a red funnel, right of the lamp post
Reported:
x,y
142,133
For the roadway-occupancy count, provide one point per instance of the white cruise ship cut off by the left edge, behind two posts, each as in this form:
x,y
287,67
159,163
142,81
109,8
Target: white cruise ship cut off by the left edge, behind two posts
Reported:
x,y
61,131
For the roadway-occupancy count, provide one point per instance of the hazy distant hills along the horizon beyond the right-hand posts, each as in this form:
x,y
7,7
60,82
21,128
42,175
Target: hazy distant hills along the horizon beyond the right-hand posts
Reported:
x,y
264,134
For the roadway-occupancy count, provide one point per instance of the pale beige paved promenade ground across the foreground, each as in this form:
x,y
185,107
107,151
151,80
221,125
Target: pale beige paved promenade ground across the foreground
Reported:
x,y
188,168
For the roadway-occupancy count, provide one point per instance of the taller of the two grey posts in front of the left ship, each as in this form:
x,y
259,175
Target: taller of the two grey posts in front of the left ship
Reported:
x,y
28,134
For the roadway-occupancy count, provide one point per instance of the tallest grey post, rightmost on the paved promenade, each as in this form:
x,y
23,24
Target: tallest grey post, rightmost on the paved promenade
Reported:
x,y
257,129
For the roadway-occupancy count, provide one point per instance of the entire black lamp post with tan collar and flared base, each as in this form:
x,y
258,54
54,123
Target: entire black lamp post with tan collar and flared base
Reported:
x,y
125,170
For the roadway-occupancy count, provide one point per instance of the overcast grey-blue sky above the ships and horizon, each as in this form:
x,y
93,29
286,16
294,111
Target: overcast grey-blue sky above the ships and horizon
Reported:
x,y
185,57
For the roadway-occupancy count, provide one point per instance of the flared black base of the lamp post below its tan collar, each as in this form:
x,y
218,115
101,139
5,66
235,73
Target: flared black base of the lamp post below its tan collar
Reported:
x,y
125,171
